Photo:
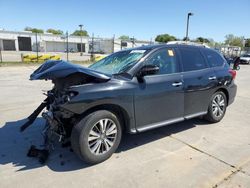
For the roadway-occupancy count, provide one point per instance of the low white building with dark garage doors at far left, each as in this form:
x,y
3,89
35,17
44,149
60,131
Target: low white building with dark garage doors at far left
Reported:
x,y
26,41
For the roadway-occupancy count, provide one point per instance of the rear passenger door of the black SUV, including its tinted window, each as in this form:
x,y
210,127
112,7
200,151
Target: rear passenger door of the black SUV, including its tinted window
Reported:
x,y
199,81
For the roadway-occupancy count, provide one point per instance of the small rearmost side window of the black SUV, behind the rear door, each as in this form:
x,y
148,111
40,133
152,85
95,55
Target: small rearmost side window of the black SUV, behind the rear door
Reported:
x,y
214,59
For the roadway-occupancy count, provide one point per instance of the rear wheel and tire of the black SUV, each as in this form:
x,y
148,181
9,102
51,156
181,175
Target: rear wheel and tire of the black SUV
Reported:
x,y
214,115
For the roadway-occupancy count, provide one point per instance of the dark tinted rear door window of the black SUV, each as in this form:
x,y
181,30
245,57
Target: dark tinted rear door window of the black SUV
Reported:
x,y
192,59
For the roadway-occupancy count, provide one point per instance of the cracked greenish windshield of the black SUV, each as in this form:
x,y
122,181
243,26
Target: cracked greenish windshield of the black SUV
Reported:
x,y
118,62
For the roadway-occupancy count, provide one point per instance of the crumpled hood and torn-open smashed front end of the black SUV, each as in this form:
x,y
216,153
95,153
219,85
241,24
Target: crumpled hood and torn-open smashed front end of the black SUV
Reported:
x,y
58,120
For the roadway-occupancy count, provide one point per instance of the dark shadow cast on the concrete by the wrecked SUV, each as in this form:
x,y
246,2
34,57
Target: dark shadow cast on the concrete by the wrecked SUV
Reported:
x,y
14,145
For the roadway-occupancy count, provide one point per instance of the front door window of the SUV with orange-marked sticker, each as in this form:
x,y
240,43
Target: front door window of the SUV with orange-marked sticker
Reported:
x,y
165,59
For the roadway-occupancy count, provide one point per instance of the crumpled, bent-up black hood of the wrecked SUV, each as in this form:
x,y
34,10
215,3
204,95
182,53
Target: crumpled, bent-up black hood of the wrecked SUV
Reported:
x,y
54,69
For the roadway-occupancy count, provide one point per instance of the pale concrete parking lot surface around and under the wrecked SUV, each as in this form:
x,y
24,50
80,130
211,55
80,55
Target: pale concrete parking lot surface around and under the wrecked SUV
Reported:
x,y
188,154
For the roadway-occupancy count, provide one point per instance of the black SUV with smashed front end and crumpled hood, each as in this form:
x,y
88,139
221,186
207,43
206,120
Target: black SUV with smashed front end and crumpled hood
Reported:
x,y
133,90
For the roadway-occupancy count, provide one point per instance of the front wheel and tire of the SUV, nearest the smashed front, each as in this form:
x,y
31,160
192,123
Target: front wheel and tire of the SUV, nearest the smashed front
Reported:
x,y
90,143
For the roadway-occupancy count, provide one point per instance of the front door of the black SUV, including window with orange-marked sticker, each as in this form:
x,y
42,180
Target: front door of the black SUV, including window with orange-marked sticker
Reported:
x,y
159,99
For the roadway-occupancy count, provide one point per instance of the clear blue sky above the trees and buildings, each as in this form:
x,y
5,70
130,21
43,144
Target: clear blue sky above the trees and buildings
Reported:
x,y
142,19
